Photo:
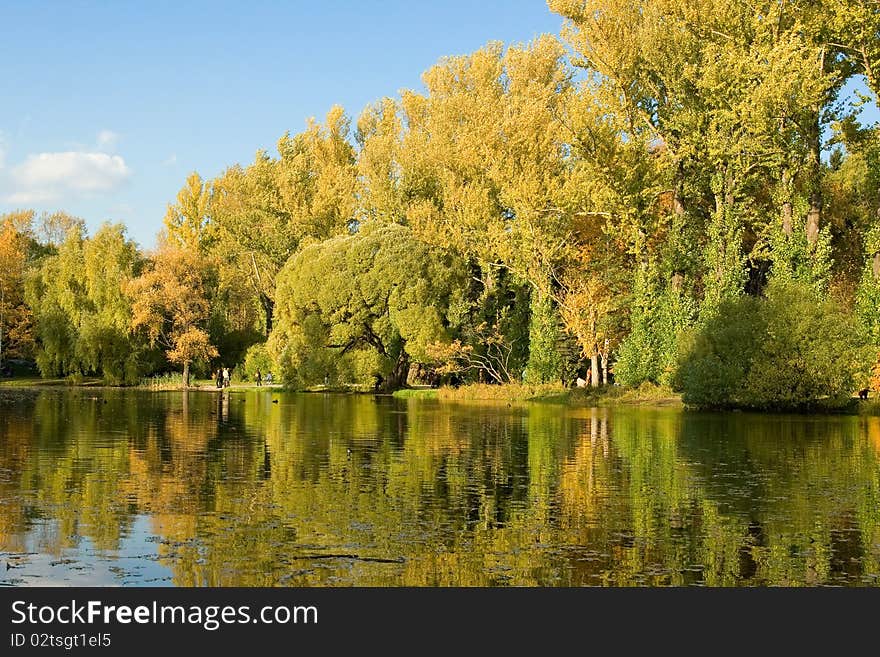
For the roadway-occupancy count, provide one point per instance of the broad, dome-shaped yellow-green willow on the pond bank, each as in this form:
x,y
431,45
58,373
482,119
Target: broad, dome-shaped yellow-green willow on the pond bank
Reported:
x,y
379,297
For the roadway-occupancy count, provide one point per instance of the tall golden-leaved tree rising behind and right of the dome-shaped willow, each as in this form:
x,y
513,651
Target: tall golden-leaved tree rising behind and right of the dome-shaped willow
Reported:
x,y
484,167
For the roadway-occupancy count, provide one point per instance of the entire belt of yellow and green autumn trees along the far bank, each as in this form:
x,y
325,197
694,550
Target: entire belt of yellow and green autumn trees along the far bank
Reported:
x,y
593,206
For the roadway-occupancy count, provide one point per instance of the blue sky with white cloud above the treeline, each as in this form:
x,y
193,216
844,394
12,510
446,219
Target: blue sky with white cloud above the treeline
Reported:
x,y
106,107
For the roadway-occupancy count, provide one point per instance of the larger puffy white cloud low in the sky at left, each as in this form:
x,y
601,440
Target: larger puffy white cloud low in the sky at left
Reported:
x,y
48,176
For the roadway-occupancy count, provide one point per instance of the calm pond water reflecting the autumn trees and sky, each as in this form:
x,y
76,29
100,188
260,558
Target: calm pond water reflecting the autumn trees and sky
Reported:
x,y
264,488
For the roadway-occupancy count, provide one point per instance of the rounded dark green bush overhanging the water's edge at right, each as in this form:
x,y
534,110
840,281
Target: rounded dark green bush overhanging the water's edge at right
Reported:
x,y
789,351
